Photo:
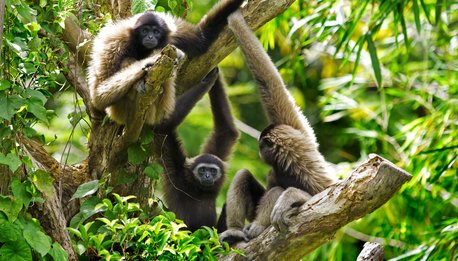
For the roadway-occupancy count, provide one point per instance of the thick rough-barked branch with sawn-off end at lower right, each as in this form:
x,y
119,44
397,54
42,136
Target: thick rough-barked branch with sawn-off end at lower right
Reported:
x,y
365,190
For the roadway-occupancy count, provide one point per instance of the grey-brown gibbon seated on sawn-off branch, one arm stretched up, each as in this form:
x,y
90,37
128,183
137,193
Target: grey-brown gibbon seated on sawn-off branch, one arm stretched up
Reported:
x,y
288,145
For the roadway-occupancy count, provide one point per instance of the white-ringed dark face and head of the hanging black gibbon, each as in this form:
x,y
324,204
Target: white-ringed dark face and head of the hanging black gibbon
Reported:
x,y
208,170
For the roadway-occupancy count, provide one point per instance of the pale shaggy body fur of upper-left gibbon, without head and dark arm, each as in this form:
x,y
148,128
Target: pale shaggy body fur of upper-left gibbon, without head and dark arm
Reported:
x,y
108,87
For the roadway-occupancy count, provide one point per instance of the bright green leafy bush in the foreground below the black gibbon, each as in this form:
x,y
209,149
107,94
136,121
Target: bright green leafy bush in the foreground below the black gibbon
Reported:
x,y
119,233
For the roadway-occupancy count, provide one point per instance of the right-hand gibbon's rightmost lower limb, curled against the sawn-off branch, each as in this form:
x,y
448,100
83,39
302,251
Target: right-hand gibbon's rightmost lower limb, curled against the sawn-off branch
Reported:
x,y
287,206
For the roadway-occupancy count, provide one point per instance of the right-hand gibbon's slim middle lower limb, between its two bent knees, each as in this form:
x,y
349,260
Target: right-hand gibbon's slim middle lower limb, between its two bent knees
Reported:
x,y
263,211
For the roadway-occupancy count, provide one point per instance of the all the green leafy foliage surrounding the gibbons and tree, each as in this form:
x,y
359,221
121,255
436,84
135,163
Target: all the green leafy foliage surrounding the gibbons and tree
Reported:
x,y
371,76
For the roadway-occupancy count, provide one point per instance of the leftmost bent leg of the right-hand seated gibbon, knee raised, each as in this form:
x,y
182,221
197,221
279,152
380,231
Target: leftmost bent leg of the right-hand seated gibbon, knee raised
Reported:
x,y
243,196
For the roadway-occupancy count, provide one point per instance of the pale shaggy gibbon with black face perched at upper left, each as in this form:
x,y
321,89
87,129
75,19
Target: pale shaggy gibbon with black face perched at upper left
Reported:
x,y
123,52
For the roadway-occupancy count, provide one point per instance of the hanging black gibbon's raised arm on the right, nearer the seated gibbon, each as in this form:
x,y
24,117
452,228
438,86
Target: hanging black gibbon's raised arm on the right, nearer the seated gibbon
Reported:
x,y
225,133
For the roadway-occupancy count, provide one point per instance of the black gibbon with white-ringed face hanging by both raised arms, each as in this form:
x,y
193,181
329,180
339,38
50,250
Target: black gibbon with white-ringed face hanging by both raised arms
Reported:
x,y
191,185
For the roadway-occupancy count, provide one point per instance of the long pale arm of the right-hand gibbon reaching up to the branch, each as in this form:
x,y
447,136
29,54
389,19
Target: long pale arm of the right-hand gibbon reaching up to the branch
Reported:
x,y
277,101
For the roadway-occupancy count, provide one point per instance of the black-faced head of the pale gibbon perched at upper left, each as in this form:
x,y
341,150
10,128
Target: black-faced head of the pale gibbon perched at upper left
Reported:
x,y
151,31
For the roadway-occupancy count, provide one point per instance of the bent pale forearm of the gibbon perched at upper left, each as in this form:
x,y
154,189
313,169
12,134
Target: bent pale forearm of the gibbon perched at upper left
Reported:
x,y
115,87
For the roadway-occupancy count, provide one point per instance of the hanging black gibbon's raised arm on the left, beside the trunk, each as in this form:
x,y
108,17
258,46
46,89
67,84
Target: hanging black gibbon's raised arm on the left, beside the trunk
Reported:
x,y
169,146
